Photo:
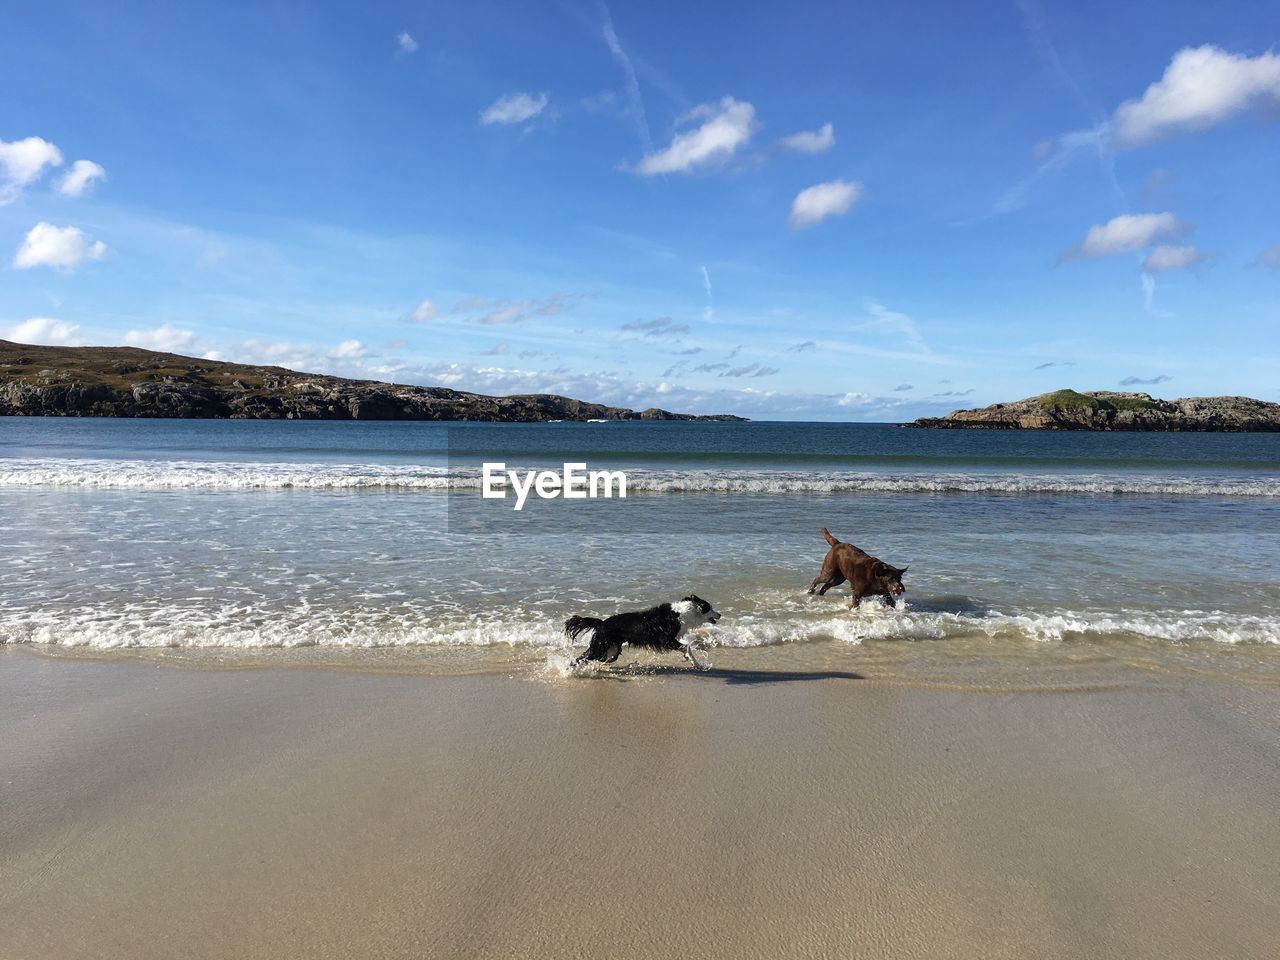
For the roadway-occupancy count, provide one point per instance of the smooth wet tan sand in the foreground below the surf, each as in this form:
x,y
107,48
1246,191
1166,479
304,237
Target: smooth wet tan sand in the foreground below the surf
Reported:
x,y
161,812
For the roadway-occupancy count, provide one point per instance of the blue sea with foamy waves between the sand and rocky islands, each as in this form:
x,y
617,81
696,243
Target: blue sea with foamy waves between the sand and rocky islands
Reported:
x,y
1036,559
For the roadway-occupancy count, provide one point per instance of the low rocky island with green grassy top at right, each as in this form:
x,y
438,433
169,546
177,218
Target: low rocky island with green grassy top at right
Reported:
x,y
1107,410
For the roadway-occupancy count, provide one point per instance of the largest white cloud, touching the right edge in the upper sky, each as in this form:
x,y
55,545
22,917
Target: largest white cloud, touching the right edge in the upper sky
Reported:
x,y
1201,88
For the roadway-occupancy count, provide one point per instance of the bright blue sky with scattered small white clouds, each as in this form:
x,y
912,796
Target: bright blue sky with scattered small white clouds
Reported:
x,y
801,212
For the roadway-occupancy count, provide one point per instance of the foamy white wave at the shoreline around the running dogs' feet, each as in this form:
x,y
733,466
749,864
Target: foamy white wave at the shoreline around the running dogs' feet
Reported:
x,y
246,628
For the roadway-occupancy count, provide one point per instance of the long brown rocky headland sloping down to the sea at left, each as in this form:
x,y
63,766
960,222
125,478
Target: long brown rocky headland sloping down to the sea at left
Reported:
x,y
127,382
